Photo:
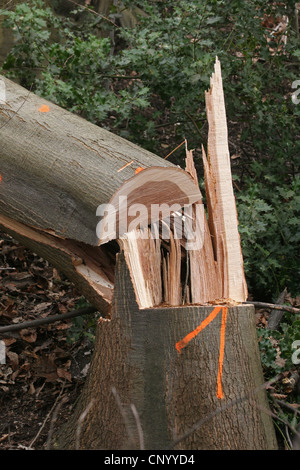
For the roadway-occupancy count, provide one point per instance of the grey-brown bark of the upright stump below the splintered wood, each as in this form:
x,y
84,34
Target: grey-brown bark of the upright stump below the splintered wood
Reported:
x,y
136,363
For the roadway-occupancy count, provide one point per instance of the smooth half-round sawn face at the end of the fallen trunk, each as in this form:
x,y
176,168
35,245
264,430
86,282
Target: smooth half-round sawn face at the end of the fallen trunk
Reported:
x,y
146,193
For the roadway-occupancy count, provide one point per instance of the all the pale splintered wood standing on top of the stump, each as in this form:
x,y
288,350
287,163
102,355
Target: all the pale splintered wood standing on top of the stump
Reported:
x,y
209,267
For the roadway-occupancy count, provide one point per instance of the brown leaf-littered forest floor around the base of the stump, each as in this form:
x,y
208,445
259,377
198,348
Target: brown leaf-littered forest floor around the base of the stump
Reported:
x,y
45,366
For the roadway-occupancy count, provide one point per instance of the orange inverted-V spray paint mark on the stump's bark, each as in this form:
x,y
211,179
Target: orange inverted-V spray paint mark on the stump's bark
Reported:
x,y
185,341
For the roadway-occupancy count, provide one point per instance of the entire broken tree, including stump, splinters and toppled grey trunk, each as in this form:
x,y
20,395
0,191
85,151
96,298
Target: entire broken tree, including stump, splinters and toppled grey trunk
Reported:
x,y
176,359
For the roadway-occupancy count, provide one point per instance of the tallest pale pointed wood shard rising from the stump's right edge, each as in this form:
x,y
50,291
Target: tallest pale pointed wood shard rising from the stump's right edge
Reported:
x,y
222,208
